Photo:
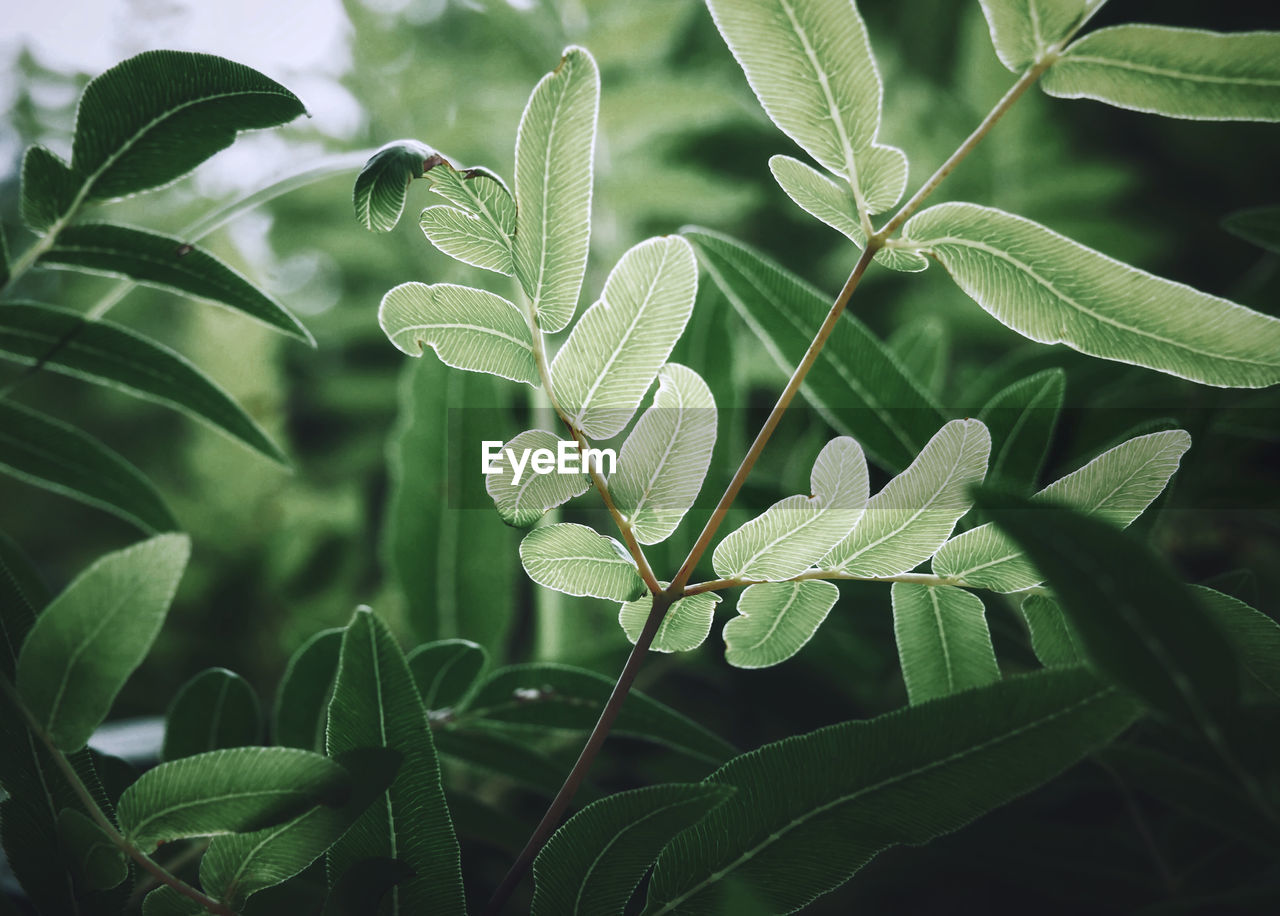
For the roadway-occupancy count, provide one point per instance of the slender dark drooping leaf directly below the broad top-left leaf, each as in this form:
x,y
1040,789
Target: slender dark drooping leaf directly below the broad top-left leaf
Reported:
x,y
167,263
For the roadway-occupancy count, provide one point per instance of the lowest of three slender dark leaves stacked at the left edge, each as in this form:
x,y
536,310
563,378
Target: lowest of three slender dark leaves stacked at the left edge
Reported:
x,y
49,454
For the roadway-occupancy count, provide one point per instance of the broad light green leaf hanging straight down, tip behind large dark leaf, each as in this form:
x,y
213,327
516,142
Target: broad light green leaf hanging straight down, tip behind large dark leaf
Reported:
x,y
943,642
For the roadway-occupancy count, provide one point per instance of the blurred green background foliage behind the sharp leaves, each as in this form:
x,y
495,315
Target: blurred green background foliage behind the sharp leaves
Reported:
x,y
385,507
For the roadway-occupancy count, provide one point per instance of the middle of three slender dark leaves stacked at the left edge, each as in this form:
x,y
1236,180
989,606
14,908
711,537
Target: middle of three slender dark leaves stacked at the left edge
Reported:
x,y
111,355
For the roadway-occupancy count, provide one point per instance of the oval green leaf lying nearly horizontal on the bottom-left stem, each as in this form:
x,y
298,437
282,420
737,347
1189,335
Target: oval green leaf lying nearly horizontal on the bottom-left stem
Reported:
x,y
230,791
